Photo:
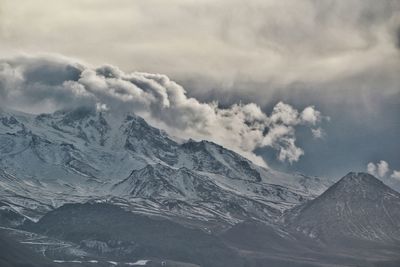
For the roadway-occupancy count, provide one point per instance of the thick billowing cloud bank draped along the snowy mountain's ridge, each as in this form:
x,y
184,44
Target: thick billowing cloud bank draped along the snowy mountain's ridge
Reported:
x,y
45,84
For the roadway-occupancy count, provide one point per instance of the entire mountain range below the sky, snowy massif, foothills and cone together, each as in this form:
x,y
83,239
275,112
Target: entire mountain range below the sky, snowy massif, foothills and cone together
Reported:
x,y
88,188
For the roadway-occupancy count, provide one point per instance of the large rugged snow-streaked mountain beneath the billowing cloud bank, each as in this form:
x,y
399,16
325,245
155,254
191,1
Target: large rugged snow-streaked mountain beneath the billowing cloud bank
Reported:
x,y
79,155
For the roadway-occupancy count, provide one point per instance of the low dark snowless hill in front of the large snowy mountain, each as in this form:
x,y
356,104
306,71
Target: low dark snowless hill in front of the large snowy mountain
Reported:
x,y
119,235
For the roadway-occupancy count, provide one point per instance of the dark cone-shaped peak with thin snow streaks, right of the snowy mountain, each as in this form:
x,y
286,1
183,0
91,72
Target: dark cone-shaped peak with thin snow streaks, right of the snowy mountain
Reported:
x,y
358,208
